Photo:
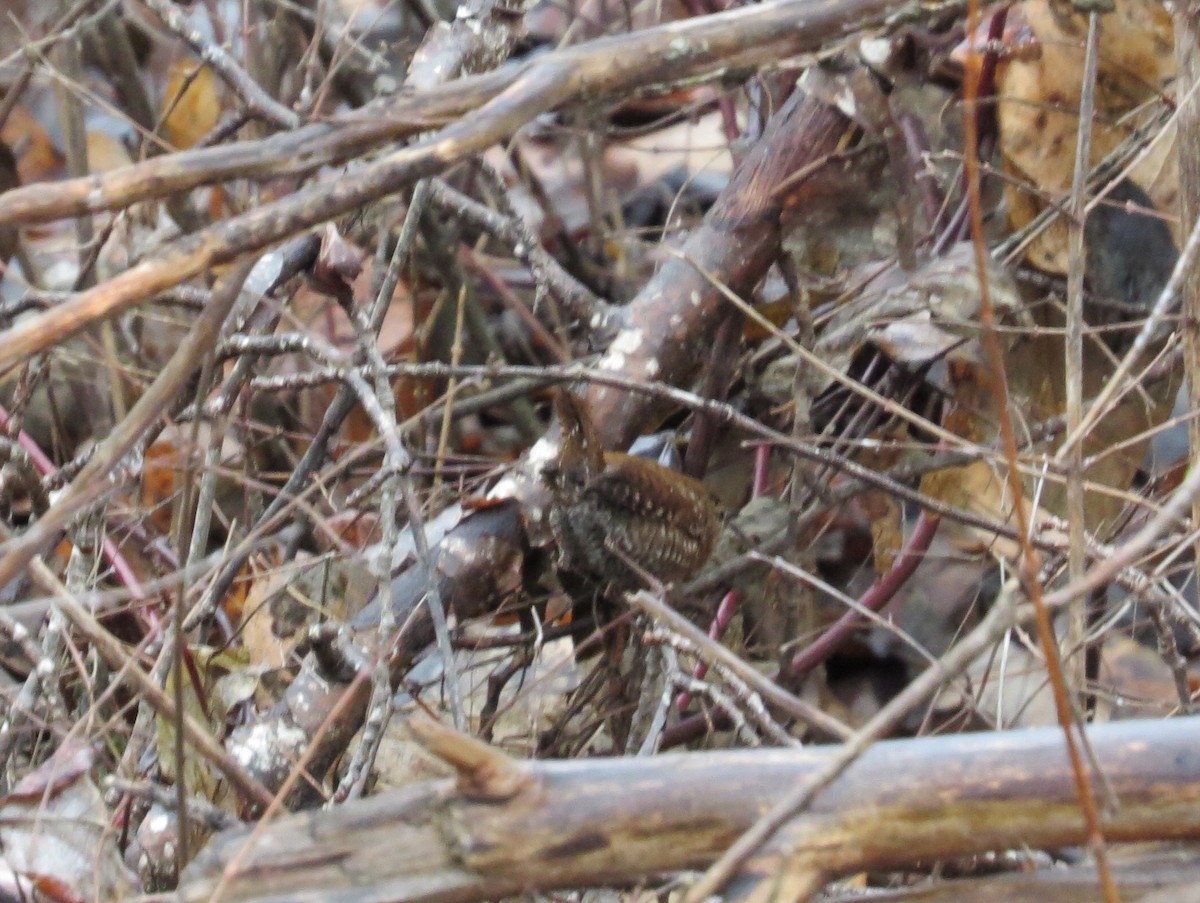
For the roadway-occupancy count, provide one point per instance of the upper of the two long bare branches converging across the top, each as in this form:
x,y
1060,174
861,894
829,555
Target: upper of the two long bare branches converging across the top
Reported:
x,y
724,45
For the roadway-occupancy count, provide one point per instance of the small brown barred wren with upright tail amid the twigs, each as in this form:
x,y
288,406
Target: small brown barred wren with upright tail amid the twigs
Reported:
x,y
608,509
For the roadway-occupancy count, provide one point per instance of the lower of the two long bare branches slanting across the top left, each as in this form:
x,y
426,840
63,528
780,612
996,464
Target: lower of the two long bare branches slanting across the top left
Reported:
x,y
709,47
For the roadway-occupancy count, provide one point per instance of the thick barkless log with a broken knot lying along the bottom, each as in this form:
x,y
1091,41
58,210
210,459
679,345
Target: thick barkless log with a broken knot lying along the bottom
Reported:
x,y
507,827
